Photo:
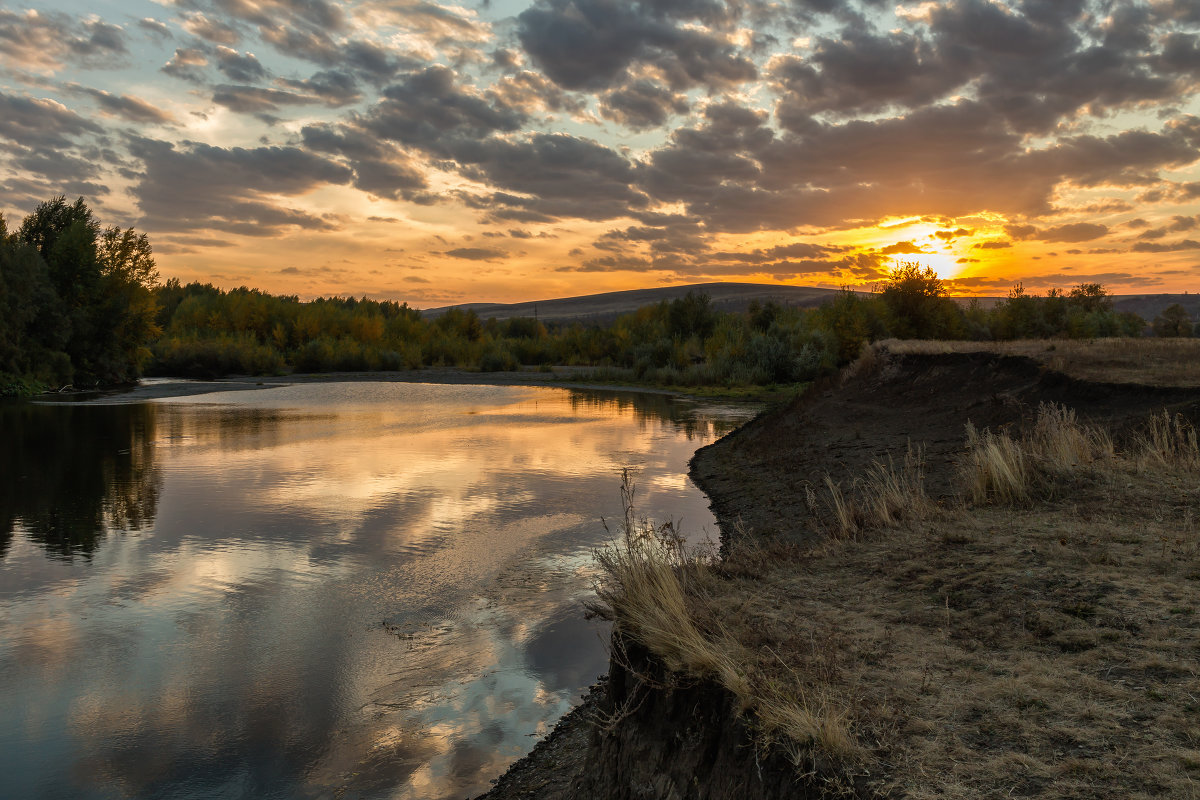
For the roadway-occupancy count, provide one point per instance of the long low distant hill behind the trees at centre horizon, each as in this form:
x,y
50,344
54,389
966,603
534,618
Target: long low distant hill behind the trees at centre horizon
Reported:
x,y
604,308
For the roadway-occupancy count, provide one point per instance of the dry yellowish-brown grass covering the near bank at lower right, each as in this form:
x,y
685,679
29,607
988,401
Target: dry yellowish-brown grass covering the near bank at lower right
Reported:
x,y
1043,651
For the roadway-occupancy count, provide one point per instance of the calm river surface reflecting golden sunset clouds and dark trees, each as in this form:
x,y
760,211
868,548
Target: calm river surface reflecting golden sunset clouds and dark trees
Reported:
x,y
322,591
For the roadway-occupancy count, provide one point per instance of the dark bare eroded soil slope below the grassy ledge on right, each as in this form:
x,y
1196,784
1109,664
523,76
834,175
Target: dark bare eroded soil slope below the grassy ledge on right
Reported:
x,y
759,474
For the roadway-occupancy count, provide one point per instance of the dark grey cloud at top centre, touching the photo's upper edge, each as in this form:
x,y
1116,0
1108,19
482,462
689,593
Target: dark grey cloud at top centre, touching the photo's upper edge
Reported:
x,y
590,44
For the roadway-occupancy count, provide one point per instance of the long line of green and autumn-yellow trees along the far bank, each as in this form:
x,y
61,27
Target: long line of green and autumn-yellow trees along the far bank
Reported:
x,y
81,305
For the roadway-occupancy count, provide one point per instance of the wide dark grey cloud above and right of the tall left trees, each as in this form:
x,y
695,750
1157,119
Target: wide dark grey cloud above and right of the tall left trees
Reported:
x,y
229,189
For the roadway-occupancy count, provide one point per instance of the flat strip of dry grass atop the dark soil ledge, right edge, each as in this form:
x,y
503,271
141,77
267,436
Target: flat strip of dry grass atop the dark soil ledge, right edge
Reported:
x,y
1153,362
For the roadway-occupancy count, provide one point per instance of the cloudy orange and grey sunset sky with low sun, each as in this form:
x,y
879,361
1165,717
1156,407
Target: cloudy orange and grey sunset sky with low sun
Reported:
x,y
514,151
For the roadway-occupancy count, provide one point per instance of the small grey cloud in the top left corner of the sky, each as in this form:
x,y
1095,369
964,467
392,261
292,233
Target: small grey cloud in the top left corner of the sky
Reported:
x,y
35,40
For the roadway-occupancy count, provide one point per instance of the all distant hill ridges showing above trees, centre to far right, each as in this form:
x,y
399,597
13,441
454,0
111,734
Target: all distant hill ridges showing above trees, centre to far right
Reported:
x,y
737,297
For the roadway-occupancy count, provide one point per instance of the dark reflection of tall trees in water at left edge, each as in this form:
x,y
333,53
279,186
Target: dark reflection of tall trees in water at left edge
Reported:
x,y
75,473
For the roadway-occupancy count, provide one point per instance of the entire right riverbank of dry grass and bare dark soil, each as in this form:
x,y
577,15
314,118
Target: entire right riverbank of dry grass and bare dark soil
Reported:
x,y
896,622
